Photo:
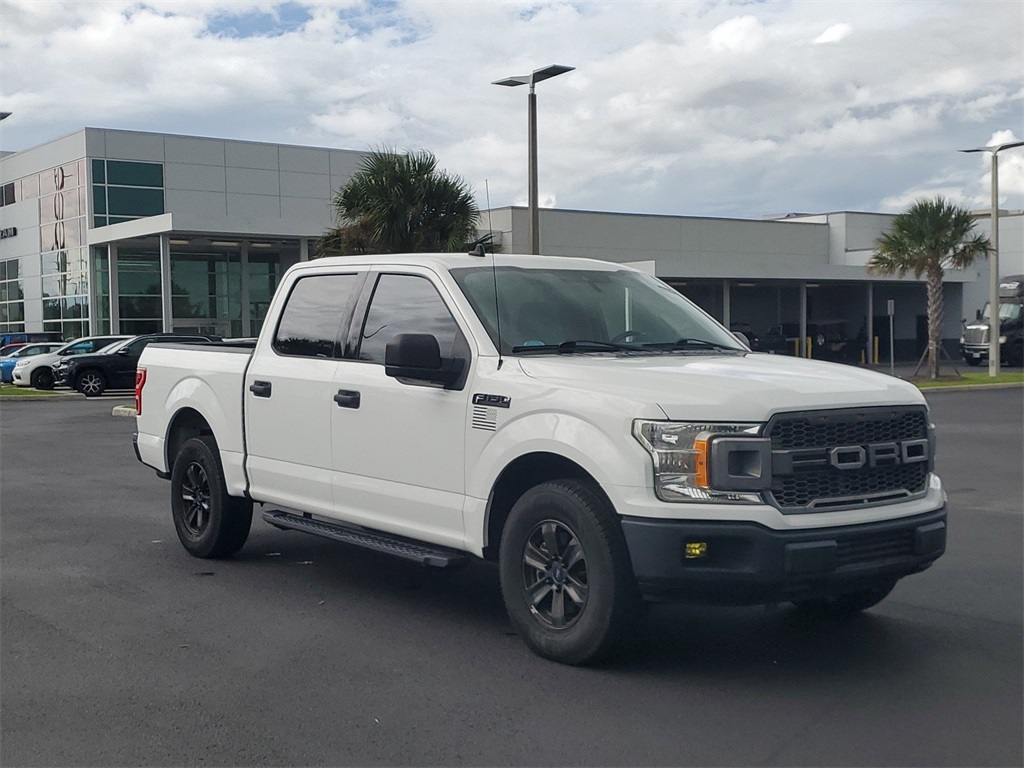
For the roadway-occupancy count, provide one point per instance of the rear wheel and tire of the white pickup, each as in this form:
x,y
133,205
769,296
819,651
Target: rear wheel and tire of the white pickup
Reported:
x,y
210,524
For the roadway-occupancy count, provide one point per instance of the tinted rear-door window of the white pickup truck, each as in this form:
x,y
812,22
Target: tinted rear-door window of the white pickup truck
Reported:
x,y
314,314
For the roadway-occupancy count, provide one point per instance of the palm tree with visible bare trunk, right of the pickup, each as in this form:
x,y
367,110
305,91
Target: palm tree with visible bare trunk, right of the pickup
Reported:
x,y
929,238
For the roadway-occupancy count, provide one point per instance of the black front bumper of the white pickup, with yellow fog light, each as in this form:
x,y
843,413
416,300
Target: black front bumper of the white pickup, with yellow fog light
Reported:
x,y
747,564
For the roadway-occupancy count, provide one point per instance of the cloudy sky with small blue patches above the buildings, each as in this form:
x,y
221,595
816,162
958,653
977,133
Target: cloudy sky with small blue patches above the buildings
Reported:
x,y
713,108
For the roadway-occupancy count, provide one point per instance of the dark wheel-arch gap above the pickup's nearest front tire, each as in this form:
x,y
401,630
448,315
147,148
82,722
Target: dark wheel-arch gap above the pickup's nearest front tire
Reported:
x,y
522,475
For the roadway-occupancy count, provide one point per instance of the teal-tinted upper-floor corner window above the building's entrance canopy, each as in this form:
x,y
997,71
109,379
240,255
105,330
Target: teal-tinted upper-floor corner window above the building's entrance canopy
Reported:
x,y
123,191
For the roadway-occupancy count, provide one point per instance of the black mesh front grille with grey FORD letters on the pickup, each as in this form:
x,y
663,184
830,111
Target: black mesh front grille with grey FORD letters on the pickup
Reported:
x,y
805,476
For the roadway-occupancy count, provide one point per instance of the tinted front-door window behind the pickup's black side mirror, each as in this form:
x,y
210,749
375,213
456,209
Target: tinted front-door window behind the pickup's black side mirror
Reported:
x,y
406,304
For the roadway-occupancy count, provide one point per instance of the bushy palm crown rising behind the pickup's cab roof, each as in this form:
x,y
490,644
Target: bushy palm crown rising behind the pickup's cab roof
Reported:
x,y
401,202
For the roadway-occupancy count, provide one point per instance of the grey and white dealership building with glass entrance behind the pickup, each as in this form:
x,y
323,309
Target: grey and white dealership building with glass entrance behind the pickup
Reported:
x,y
122,232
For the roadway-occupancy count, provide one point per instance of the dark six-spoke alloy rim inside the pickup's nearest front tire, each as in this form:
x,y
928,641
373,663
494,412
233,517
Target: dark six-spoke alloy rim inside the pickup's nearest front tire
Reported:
x,y
554,575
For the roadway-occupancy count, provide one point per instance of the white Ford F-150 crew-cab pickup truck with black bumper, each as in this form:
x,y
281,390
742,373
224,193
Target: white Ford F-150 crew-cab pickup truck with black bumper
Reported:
x,y
581,423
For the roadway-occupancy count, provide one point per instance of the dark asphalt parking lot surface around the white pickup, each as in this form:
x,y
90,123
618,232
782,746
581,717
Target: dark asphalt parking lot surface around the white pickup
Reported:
x,y
117,649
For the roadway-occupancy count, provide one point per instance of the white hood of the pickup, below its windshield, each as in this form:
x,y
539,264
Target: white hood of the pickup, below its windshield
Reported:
x,y
750,388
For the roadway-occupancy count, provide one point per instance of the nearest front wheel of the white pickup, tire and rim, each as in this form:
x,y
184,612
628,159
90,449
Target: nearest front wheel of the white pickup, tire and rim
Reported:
x,y
566,574
